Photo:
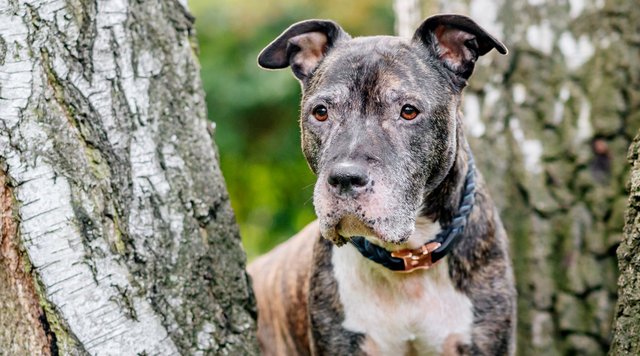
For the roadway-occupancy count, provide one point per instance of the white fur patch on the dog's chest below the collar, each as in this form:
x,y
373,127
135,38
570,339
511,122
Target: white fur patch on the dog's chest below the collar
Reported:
x,y
415,313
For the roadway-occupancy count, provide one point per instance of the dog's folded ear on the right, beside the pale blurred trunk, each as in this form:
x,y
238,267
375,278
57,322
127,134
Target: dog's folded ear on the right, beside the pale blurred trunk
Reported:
x,y
457,41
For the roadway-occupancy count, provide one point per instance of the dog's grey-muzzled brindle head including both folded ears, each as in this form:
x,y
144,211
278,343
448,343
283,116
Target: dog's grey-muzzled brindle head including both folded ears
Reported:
x,y
378,117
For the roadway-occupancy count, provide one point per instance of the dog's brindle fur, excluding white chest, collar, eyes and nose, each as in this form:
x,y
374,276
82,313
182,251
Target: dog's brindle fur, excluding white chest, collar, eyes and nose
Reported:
x,y
424,161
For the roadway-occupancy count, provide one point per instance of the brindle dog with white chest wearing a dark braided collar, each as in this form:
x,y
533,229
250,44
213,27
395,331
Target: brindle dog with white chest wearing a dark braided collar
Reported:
x,y
408,255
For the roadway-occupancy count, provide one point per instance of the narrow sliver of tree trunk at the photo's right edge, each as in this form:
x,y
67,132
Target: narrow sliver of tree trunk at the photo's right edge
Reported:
x,y
626,339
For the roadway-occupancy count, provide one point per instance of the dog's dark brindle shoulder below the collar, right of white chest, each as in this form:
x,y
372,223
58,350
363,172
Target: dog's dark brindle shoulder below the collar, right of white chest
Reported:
x,y
480,267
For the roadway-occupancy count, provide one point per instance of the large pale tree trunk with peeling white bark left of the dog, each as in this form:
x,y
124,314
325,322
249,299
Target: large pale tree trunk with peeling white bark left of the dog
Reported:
x,y
117,233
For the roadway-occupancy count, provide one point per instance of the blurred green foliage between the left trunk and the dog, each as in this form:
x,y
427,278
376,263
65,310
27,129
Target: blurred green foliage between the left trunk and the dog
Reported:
x,y
256,111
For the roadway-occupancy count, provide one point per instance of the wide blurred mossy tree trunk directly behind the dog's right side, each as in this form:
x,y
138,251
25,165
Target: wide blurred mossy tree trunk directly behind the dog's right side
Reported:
x,y
550,125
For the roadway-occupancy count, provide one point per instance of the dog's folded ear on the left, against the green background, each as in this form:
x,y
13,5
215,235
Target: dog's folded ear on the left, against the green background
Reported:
x,y
302,46
